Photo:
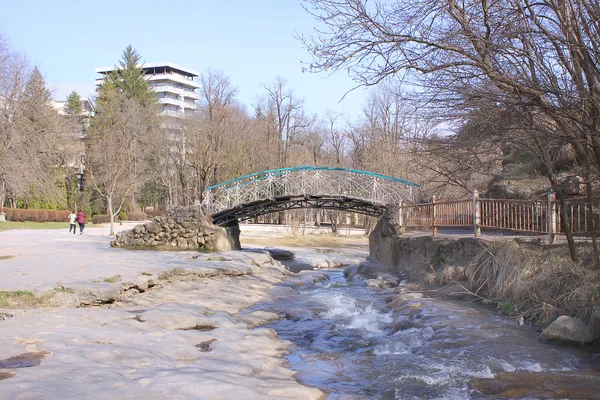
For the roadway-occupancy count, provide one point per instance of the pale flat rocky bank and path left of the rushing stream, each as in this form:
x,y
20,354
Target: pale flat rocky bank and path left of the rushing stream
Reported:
x,y
139,324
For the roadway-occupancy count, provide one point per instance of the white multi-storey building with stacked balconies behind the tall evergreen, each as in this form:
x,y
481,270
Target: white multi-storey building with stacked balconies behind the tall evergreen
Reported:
x,y
174,86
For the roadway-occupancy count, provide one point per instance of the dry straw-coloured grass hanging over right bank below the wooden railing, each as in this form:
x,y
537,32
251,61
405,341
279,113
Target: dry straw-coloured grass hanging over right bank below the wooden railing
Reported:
x,y
537,283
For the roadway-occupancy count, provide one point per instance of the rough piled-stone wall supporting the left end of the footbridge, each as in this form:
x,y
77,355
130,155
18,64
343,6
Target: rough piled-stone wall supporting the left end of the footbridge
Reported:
x,y
183,228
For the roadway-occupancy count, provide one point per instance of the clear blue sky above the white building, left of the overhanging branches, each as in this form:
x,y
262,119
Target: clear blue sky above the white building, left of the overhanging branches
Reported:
x,y
251,41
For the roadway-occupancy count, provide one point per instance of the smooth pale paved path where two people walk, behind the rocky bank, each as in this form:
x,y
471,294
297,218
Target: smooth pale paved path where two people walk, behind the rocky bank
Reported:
x,y
45,258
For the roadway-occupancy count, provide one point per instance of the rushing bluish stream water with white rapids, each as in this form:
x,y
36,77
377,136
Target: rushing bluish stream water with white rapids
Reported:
x,y
342,343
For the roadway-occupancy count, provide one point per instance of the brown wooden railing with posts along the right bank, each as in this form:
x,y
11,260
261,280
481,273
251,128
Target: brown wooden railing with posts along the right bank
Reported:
x,y
534,216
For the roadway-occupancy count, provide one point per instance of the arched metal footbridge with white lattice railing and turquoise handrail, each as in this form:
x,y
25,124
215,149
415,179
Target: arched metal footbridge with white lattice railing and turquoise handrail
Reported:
x,y
292,188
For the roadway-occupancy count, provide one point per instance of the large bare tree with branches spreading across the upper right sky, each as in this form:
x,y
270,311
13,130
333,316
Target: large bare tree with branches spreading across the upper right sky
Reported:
x,y
538,56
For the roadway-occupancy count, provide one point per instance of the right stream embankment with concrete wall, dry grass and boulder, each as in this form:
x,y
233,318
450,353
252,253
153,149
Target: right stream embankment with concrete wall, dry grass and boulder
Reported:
x,y
525,279
